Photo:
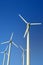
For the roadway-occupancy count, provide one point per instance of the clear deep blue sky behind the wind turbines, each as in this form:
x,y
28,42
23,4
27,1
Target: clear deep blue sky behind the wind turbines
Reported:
x,y
32,11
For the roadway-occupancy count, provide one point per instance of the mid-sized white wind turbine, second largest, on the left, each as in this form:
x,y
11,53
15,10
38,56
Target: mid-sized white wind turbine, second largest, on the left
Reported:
x,y
10,44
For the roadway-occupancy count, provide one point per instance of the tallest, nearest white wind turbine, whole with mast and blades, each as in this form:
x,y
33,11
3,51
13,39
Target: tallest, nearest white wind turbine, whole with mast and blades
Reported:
x,y
28,39
